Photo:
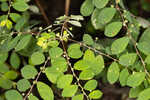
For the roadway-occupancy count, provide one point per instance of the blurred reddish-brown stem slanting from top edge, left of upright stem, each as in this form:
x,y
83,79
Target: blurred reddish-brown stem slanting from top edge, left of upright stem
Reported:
x,y
42,11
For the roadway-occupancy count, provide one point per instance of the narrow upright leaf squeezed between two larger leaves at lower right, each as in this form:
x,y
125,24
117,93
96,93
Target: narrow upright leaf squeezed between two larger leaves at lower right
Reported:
x,y
123,77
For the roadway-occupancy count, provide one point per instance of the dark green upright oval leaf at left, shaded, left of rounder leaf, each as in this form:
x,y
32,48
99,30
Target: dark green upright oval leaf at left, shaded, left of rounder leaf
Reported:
x,y
15,60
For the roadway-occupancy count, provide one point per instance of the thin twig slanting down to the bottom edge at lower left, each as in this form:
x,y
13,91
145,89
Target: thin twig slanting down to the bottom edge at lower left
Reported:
x,y
36,80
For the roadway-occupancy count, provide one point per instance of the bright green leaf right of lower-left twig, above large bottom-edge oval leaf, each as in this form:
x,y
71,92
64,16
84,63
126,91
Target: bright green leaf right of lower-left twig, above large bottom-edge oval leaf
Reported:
x,y
53,74
